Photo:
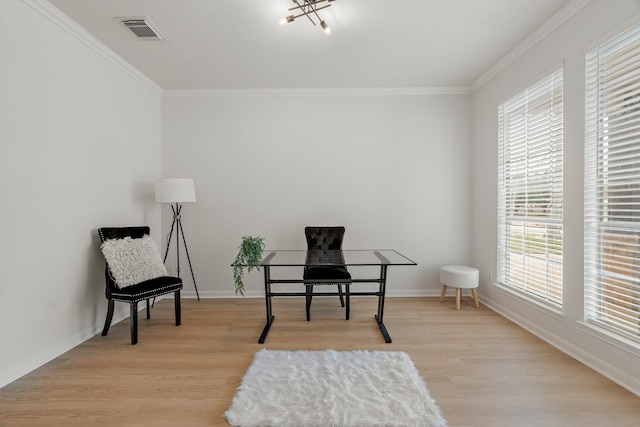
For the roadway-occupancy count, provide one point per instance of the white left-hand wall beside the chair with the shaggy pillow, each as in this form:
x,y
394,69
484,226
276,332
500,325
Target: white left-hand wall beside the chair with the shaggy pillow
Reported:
x,y
80,145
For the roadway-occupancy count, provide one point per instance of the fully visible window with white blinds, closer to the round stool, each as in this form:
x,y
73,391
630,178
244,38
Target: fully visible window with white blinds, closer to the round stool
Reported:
x,y
530,191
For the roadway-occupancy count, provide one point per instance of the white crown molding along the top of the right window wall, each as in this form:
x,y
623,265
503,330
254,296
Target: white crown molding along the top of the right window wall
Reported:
x,y
543,31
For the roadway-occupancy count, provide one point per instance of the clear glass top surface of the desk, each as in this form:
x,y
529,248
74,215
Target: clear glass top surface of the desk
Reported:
x,y
292,258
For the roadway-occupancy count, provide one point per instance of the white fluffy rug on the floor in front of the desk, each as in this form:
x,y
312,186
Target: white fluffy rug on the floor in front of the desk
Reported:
x,y
333,388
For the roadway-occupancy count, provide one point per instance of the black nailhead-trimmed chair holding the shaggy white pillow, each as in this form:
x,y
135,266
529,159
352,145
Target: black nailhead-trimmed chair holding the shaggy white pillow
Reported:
x,y
137,292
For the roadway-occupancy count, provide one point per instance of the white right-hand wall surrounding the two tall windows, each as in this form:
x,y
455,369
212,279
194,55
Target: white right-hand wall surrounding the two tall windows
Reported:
x,y
568,43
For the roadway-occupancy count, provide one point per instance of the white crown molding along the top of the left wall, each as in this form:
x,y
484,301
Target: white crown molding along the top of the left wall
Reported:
x,y
70,26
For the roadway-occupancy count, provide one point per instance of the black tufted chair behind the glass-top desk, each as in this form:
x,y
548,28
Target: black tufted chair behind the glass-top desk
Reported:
x,y
325,243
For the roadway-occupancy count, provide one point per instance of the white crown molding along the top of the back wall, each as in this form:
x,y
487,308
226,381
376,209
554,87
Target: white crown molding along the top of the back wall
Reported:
x,y
376,91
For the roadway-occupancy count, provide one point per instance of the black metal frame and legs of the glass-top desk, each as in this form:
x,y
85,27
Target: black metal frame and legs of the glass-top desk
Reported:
x,y
269,294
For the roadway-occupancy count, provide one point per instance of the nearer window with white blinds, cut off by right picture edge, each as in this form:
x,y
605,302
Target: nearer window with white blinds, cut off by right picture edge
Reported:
x,y
612,185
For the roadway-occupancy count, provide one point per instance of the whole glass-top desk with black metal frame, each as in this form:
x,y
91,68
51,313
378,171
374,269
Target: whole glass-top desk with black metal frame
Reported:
x,y
316,258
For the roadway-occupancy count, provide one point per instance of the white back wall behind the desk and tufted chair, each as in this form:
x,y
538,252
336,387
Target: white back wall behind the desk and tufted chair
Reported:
x,y
394,170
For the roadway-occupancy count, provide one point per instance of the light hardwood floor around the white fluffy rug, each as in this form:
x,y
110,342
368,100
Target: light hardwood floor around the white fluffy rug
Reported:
x,y
481,369
